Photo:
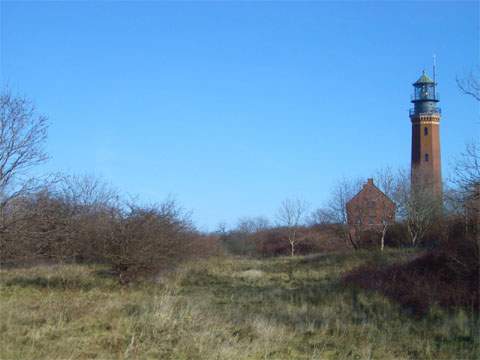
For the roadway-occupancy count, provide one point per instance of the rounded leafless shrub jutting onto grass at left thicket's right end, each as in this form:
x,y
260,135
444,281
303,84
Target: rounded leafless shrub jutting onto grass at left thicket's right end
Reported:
x,y
148,239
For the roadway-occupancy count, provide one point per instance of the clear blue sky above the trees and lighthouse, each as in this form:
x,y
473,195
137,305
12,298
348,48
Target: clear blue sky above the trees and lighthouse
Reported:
x,y
234,106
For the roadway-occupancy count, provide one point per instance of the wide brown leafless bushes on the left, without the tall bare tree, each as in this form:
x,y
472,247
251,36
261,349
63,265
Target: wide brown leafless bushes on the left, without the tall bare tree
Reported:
x,y
82,220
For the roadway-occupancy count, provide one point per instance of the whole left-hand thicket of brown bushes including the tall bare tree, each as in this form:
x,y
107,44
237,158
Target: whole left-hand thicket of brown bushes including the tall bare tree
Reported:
x,y
80,219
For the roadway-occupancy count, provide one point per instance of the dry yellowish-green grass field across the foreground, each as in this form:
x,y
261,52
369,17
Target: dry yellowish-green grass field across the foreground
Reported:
x,y
222,308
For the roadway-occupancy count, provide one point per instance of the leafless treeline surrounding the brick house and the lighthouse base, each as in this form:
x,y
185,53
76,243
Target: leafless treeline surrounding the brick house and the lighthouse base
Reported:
x,y
423,218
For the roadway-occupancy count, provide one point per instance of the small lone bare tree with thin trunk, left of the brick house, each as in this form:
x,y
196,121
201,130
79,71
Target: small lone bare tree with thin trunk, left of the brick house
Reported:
x,y
291,215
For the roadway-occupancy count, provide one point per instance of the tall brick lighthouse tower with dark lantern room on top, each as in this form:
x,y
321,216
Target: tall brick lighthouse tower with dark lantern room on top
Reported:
x,y
425,117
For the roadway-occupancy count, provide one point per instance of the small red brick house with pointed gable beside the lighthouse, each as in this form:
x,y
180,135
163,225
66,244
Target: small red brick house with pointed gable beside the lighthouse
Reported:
x,y
370,209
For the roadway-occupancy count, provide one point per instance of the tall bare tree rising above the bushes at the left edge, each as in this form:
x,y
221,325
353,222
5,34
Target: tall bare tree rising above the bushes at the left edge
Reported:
x,y
22,137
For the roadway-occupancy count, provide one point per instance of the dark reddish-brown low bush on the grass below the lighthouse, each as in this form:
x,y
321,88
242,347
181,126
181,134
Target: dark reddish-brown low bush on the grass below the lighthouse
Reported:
x,y
447,276
